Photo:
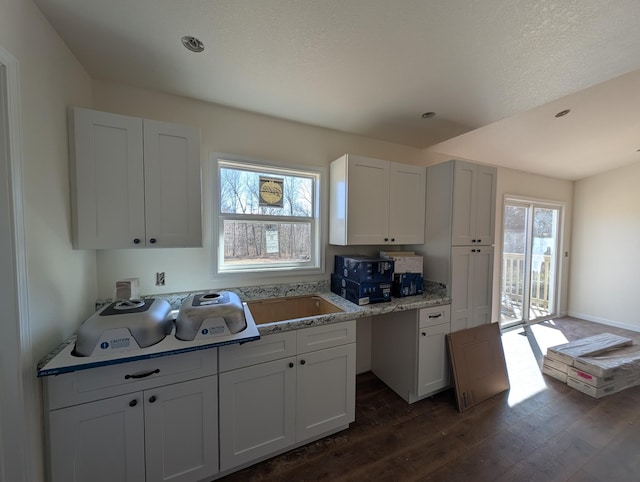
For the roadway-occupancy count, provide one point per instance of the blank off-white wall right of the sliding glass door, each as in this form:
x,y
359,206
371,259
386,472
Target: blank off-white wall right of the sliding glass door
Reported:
x,y
606,260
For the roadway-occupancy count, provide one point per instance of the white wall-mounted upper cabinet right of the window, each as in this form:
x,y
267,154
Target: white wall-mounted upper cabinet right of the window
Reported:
x,y
375,202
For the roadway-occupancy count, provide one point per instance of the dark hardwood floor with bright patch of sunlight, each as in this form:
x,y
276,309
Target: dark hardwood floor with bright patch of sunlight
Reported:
x,y
540,430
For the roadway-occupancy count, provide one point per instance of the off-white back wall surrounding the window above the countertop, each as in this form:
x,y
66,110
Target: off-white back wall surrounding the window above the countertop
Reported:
x,y
233,132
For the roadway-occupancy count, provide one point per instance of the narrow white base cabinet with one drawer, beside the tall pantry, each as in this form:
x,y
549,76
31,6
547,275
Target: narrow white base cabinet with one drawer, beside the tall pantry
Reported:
x,y
408,351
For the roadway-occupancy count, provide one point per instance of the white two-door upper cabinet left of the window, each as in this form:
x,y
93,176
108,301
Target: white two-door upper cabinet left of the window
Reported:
x,y
135,182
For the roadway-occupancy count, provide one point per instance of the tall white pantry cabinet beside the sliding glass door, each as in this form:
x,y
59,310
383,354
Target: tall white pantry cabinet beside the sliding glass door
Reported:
x,y
459,237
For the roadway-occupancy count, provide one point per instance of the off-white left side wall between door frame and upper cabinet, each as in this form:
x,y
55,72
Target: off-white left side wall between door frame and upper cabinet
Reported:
x,y
61,282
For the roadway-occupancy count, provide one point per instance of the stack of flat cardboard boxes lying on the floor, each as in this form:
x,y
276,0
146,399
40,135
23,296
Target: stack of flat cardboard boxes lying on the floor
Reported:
x,y
598,365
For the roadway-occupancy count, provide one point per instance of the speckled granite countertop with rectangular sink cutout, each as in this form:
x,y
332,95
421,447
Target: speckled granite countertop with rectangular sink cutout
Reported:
x,y
435,295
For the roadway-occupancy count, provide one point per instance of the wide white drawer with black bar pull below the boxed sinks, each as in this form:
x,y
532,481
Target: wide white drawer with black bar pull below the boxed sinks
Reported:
x,y
112,380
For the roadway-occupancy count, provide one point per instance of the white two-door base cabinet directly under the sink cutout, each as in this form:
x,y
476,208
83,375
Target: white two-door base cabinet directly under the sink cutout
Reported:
x,y
284,390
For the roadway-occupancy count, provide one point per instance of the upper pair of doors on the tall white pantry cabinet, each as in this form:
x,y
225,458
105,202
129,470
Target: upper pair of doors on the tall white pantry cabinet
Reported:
x,y
474,204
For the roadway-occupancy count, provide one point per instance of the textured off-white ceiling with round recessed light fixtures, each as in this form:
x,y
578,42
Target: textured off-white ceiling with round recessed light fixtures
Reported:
x,y
495,72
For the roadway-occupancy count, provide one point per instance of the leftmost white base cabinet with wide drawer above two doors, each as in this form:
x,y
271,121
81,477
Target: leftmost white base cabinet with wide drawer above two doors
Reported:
x,y
131,422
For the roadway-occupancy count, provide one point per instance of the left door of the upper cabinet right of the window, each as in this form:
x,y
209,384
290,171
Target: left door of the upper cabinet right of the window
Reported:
x,y
367,187
